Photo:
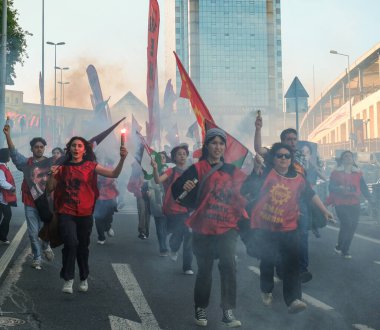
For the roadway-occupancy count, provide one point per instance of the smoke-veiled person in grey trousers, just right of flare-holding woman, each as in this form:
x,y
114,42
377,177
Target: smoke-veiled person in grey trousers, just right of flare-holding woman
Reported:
x,y
134,186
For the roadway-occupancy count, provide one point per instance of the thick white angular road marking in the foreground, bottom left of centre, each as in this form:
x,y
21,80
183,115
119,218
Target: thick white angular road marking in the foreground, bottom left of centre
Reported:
x,y
135,295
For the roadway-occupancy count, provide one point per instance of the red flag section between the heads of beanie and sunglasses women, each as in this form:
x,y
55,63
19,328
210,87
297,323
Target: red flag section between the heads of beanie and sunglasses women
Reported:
x,y
235,152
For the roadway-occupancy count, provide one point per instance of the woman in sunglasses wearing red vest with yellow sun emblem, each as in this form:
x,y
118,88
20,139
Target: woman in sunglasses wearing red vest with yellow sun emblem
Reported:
x,y
274,199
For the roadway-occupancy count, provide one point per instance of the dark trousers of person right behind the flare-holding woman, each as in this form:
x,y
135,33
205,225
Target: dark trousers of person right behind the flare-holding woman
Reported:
x,y
103,214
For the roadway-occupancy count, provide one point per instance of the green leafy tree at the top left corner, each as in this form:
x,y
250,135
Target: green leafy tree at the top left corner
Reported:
x,y
16,41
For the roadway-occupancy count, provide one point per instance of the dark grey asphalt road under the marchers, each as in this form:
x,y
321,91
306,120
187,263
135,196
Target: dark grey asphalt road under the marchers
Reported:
x,y
129,281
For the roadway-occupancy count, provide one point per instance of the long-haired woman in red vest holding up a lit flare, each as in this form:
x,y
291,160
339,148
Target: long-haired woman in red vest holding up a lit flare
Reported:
x,y
75,191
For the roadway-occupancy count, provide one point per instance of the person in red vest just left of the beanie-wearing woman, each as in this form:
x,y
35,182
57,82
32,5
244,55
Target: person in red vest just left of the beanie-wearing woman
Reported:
x,y
175,213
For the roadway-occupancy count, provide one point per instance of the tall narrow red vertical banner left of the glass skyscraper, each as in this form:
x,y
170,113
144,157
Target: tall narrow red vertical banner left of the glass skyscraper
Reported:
x,y
151,81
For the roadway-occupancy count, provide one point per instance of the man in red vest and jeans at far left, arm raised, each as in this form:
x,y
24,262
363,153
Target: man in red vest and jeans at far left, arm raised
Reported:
x,y
33,220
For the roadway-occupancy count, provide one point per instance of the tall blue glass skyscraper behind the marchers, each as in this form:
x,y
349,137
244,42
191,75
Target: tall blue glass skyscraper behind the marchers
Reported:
x,y
232,51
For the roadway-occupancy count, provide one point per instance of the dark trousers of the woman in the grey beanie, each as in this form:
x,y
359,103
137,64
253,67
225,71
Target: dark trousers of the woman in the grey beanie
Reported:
x,y
206,249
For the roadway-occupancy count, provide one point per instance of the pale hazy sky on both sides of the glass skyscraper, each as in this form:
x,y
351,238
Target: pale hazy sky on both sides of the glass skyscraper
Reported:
x,y
112,36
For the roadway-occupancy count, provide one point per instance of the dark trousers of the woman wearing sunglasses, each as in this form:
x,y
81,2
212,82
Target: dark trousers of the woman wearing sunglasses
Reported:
x,y
286,244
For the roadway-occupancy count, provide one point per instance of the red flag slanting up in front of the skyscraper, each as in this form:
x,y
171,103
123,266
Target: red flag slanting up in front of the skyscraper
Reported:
x,y
188,91
